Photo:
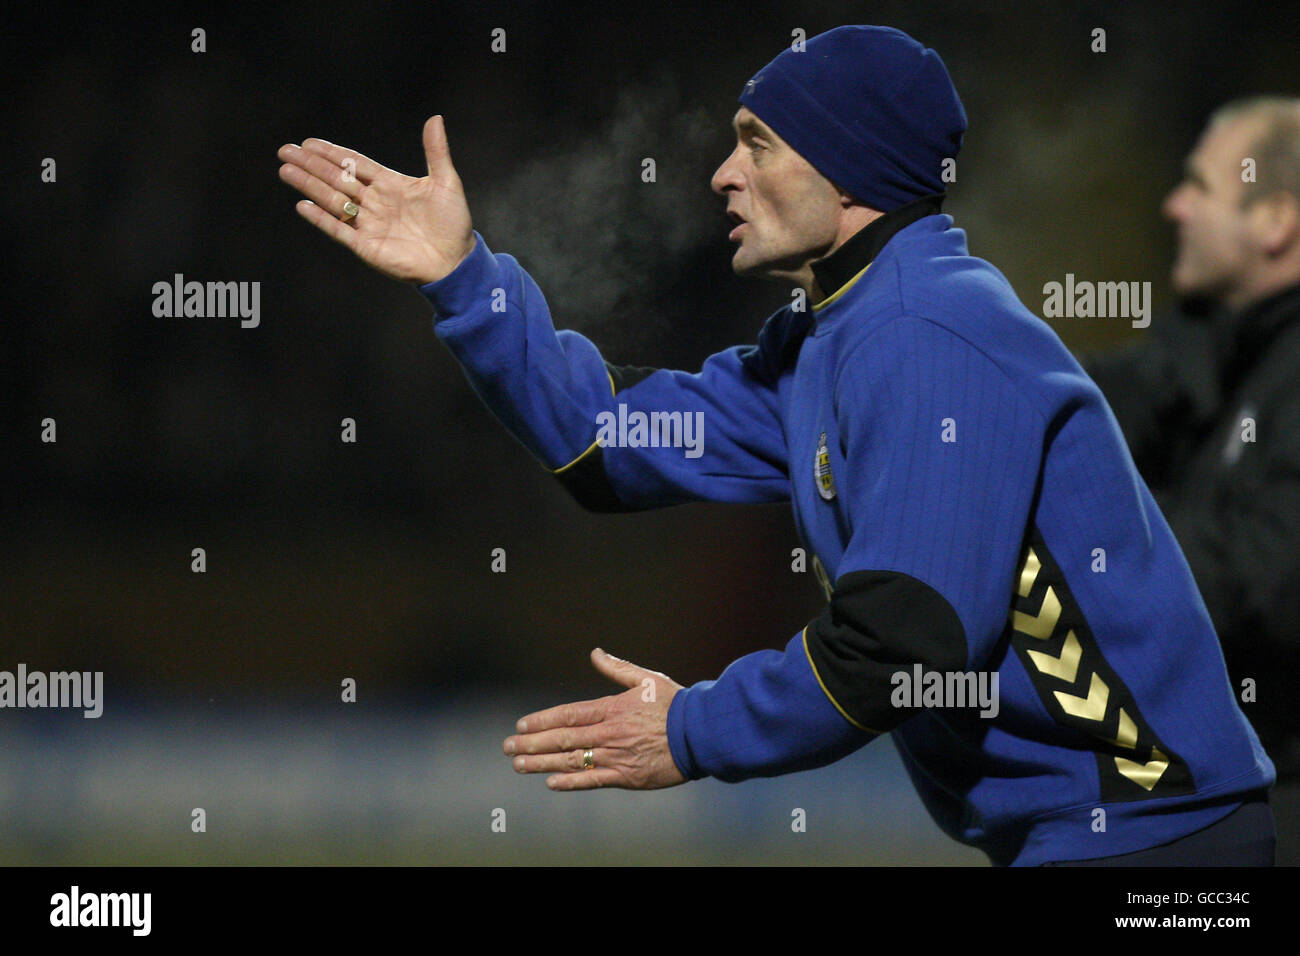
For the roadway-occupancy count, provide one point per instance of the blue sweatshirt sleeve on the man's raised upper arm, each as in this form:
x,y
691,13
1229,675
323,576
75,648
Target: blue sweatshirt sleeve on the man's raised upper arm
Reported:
x,y
673,438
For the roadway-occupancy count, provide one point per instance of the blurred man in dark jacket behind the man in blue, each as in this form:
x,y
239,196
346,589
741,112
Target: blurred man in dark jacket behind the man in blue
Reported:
x,y
1211,406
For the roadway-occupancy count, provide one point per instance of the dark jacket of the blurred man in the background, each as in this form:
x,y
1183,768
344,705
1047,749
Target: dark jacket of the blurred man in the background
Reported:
x,y
1186,399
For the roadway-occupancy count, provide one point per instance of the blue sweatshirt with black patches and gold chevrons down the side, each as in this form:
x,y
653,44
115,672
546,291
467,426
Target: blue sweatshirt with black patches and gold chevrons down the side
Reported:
x,y
974,516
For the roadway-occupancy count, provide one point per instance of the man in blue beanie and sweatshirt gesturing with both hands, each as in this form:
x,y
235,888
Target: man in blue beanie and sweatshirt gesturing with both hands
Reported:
x,y
1003,594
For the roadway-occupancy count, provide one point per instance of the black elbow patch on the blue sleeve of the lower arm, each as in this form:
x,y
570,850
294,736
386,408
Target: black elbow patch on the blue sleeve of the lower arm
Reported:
x,y
877,625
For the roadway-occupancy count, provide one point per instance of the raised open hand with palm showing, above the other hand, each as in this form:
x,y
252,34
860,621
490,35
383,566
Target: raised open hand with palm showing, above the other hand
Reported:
x,y
413,230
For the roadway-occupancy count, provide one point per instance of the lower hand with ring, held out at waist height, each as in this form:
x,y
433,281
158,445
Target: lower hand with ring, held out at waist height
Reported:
x,y
627,734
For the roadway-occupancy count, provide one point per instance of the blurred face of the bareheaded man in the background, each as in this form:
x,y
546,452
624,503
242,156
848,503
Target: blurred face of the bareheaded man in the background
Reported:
x,y
1216,248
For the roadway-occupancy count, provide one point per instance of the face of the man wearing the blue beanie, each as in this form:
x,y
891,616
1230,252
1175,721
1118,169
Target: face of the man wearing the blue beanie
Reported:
x,y
790,210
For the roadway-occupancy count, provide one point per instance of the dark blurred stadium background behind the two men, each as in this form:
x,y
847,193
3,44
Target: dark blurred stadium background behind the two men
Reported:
x,y
372,560
